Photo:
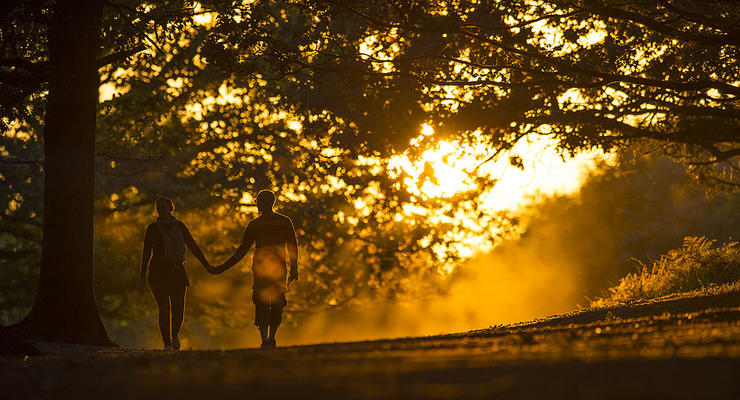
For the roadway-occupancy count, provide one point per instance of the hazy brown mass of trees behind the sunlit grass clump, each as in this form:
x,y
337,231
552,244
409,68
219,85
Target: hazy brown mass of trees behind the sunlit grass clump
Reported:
x,y
633,212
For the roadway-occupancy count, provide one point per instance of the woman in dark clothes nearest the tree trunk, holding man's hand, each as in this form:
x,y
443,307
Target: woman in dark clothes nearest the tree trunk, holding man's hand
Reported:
x,y
164,244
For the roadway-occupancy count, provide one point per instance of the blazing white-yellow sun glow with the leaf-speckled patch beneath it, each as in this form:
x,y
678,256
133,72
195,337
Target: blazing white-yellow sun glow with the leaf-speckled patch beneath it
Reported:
x,y
448,168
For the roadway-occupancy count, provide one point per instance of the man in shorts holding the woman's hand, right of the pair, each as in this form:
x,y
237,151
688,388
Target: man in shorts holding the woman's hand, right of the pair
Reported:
x,y
271,233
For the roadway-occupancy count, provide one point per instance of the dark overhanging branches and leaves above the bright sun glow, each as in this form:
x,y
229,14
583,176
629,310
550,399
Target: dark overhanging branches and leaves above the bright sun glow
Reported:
x,y
601,74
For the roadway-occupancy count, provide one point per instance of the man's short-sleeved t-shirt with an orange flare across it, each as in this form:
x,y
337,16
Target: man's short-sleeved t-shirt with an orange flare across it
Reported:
x,y
270,234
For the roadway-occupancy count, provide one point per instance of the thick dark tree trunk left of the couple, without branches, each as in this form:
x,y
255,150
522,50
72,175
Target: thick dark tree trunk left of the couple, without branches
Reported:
x,y
65,309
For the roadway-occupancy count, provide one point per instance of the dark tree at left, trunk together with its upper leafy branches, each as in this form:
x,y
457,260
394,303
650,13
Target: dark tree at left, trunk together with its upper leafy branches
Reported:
x,y
54,47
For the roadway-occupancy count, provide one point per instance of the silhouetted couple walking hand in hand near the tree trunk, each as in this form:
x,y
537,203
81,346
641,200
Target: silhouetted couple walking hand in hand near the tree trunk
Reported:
x,y
165,242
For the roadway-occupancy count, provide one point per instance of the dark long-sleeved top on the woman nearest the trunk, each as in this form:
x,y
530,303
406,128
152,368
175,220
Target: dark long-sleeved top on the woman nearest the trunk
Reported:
x,y
163,243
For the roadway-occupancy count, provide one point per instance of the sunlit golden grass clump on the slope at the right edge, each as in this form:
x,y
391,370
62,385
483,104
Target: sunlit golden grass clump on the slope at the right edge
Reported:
x,y
697,266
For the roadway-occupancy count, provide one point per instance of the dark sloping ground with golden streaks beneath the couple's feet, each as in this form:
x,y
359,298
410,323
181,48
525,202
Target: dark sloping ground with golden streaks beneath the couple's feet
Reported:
x,y
686,348
